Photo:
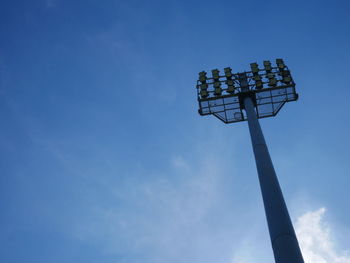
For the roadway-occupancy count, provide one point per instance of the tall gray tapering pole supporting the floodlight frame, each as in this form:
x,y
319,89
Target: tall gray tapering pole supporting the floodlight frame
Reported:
x,y
284,242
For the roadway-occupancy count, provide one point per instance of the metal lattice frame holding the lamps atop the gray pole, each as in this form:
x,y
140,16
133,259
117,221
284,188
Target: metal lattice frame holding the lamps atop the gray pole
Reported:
x,y
267,101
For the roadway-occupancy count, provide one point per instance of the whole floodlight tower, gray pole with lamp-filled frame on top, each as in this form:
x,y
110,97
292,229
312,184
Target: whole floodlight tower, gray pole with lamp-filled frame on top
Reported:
x,y
251,95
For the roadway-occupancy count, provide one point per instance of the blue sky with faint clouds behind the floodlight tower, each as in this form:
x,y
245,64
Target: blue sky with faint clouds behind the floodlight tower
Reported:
x,y
104,157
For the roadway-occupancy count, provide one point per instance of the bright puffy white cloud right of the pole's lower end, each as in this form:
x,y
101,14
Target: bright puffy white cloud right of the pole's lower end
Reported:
x,y
315,239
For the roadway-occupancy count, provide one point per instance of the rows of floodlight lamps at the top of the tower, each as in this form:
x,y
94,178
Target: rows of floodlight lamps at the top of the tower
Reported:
x,y
268,72
